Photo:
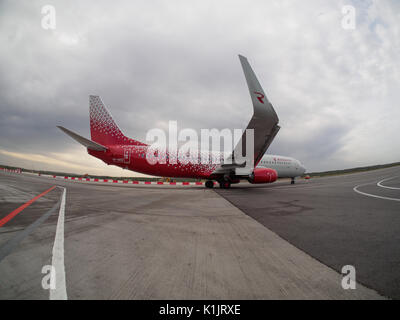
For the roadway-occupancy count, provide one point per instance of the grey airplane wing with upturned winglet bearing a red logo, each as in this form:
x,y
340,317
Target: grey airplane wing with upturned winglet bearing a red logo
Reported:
x,y
264,121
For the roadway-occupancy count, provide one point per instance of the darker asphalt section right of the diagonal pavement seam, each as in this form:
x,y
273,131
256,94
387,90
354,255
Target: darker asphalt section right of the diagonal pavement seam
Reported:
x,y
336,224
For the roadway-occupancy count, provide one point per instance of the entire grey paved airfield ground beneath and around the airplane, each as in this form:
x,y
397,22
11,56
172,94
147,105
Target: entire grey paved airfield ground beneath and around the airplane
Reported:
x,y
156,242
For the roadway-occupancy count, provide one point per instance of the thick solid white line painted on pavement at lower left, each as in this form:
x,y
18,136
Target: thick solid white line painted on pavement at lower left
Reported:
x,y
60,292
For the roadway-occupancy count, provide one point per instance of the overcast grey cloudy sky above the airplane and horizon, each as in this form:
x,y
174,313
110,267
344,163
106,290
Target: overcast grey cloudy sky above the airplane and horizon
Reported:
x,y
336,91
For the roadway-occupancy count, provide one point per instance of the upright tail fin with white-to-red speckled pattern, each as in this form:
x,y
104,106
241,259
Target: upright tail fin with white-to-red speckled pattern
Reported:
x,y
103,128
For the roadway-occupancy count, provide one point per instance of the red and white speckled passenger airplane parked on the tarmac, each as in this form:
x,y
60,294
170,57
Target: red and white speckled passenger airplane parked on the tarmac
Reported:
x,y
109,144
